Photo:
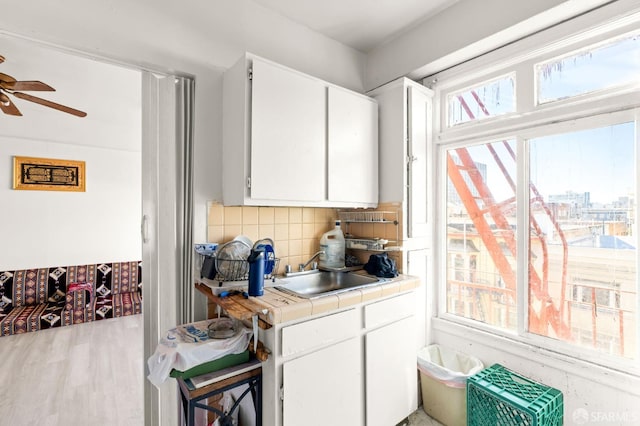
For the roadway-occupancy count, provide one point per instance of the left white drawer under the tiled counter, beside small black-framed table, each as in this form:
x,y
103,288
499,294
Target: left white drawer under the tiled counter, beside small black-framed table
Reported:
x,y
319,332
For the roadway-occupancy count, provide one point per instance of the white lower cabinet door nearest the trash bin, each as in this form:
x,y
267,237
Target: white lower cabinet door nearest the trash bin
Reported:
x,y
391,373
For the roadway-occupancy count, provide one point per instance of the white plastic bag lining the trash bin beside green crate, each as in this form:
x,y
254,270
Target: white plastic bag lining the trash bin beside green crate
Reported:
x,y
448,366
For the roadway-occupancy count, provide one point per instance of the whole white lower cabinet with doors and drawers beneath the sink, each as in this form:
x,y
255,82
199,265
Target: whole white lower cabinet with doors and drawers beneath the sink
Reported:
x,y
354,367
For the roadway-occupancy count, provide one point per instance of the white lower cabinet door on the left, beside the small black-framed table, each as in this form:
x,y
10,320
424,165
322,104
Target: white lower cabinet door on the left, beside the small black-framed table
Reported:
x,y
324,387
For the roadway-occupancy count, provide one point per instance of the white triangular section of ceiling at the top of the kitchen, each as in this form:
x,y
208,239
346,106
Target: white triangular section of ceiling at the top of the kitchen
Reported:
x,y
361,24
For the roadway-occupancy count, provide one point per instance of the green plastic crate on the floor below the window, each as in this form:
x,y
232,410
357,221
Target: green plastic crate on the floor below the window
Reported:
x,y
497,396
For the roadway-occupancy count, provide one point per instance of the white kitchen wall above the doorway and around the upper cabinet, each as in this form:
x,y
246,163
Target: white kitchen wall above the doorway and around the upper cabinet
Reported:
x,y
201,38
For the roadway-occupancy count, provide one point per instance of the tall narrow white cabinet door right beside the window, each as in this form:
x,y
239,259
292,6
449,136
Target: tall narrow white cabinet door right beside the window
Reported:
x,y
419,117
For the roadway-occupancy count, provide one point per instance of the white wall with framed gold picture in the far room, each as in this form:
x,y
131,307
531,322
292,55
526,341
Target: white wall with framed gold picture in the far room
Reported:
x,y
50,228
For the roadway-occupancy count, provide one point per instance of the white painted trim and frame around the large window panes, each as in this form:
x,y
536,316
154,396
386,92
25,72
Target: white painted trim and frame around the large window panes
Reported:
x,y
624,374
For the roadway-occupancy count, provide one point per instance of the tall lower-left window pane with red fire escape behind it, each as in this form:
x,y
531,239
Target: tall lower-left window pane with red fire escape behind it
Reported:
x,y
481,210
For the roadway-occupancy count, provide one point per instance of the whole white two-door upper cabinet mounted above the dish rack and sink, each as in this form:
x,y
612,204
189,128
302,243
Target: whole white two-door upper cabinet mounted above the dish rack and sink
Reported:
x,y
292,139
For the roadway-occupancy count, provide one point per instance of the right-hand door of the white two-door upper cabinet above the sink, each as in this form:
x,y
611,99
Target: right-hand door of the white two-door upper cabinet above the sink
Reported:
x,y
352,147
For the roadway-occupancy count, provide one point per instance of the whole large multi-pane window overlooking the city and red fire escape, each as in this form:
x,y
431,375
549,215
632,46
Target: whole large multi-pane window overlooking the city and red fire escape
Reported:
x,y
541,214
